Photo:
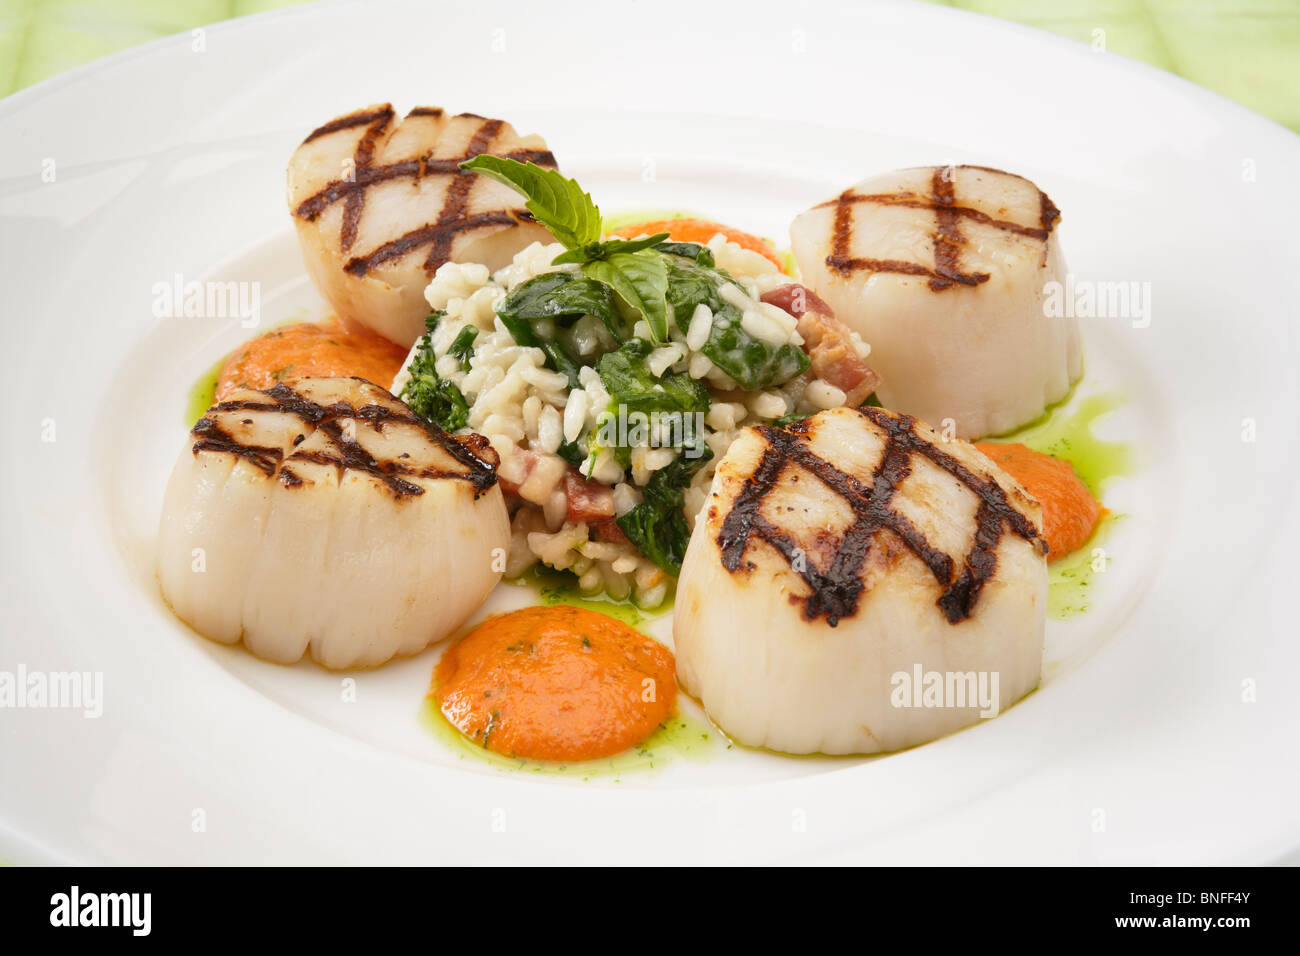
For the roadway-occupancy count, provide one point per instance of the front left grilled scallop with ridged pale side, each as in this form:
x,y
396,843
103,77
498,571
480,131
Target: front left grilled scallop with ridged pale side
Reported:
x,y
328,518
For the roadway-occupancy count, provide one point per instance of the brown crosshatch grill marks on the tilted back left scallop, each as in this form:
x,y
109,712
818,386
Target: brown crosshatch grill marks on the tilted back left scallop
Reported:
x,y
452,222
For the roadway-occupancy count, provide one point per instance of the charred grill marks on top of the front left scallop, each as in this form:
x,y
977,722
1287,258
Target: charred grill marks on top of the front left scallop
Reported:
x,y
467,452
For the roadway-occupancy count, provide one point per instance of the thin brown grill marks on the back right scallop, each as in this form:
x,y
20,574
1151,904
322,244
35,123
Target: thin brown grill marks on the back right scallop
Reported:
x,y
947,240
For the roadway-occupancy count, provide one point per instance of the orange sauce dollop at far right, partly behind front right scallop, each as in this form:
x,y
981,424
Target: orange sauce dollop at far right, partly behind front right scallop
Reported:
x,y
1071,513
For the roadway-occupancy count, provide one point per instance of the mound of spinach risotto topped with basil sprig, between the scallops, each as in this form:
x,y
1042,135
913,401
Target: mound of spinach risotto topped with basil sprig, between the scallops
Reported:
x,y
609,374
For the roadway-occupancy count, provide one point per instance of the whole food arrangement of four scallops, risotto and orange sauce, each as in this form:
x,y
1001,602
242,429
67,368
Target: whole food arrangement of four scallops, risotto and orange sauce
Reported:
x,y
658,410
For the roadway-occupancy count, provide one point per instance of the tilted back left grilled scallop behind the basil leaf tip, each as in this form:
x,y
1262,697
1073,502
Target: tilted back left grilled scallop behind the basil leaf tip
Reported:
x,y
382,204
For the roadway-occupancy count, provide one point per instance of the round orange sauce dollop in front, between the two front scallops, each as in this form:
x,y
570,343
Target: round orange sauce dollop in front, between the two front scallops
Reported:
x,y
556,685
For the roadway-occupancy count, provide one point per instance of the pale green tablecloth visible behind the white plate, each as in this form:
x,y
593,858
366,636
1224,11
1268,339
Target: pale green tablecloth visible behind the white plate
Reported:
x,y
1247,50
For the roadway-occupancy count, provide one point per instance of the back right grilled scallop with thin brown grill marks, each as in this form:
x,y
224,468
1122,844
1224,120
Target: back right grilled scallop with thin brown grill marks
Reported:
x,y
943,271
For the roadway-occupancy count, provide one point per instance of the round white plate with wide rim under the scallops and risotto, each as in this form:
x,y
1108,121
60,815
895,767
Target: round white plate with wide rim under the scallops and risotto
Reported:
x,y
1165,728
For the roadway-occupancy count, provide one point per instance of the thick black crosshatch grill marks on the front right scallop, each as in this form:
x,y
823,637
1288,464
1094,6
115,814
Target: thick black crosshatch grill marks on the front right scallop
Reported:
x,y
837,591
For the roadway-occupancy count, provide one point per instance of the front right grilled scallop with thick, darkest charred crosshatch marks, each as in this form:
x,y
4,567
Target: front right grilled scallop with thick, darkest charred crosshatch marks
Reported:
x,y
847,551
